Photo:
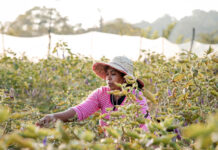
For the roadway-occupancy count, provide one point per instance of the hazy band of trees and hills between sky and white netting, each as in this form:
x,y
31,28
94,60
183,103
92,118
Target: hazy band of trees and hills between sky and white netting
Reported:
x,y
40,21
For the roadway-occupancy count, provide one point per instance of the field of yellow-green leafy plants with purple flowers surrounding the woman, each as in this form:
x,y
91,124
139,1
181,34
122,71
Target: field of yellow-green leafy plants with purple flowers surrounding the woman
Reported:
x,y
182,95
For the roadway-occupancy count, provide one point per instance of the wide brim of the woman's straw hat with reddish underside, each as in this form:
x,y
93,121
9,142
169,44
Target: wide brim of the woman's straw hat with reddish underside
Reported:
x,y
99,69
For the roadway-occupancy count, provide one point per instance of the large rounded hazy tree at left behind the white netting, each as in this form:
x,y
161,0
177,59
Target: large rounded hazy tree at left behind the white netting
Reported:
x,y
39,21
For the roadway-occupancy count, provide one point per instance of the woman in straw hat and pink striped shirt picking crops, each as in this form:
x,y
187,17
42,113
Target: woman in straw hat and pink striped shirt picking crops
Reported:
x,y
113,73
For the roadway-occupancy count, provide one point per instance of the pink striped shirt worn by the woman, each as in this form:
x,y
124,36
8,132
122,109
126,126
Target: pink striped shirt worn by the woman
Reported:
x,y
100,100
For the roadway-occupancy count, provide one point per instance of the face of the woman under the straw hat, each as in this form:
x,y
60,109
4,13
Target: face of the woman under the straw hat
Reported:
x,y
113,76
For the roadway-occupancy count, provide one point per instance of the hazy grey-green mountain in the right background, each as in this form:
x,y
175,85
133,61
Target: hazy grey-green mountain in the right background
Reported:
x,y
203,22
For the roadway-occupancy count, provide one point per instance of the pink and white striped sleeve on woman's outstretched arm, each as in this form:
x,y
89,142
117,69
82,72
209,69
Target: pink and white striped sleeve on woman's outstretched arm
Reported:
x,y
89,106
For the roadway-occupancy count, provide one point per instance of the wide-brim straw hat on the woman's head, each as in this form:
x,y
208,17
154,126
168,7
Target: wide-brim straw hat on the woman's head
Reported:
x,y
120,63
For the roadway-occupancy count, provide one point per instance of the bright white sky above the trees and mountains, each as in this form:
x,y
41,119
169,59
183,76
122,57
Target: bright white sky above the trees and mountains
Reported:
x,y
87,11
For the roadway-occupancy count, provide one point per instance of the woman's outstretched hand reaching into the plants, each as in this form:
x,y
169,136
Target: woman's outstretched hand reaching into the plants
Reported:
x,y
44,122
